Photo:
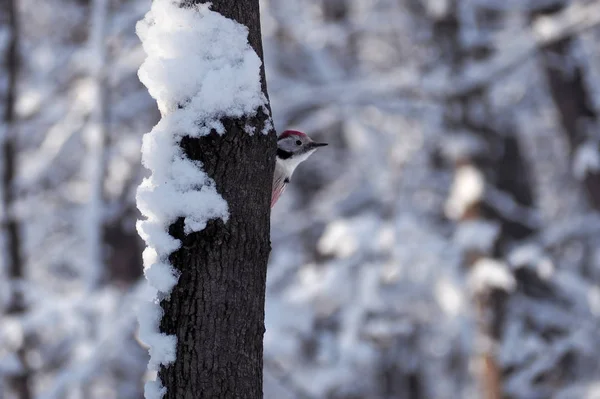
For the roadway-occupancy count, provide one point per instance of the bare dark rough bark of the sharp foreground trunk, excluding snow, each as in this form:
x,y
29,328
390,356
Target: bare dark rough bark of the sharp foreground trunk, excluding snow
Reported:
x,y
217,308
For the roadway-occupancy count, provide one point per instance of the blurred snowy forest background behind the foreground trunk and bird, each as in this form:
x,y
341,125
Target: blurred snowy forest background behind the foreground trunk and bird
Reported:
x,y
446,244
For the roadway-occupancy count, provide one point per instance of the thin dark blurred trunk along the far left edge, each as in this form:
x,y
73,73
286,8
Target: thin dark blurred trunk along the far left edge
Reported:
x,y
19,382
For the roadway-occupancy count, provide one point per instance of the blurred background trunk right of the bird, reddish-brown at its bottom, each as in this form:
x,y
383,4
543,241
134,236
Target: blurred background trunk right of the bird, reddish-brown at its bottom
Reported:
x,y
501,169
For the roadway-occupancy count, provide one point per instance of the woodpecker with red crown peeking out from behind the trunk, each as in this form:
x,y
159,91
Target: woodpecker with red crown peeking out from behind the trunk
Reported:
x,y
293,147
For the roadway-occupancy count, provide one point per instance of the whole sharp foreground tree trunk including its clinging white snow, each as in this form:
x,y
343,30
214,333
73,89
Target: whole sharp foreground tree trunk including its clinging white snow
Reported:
x,y
207,201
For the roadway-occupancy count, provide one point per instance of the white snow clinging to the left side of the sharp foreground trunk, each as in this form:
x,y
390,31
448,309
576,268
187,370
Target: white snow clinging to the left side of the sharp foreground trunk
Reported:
x,y
200,68
